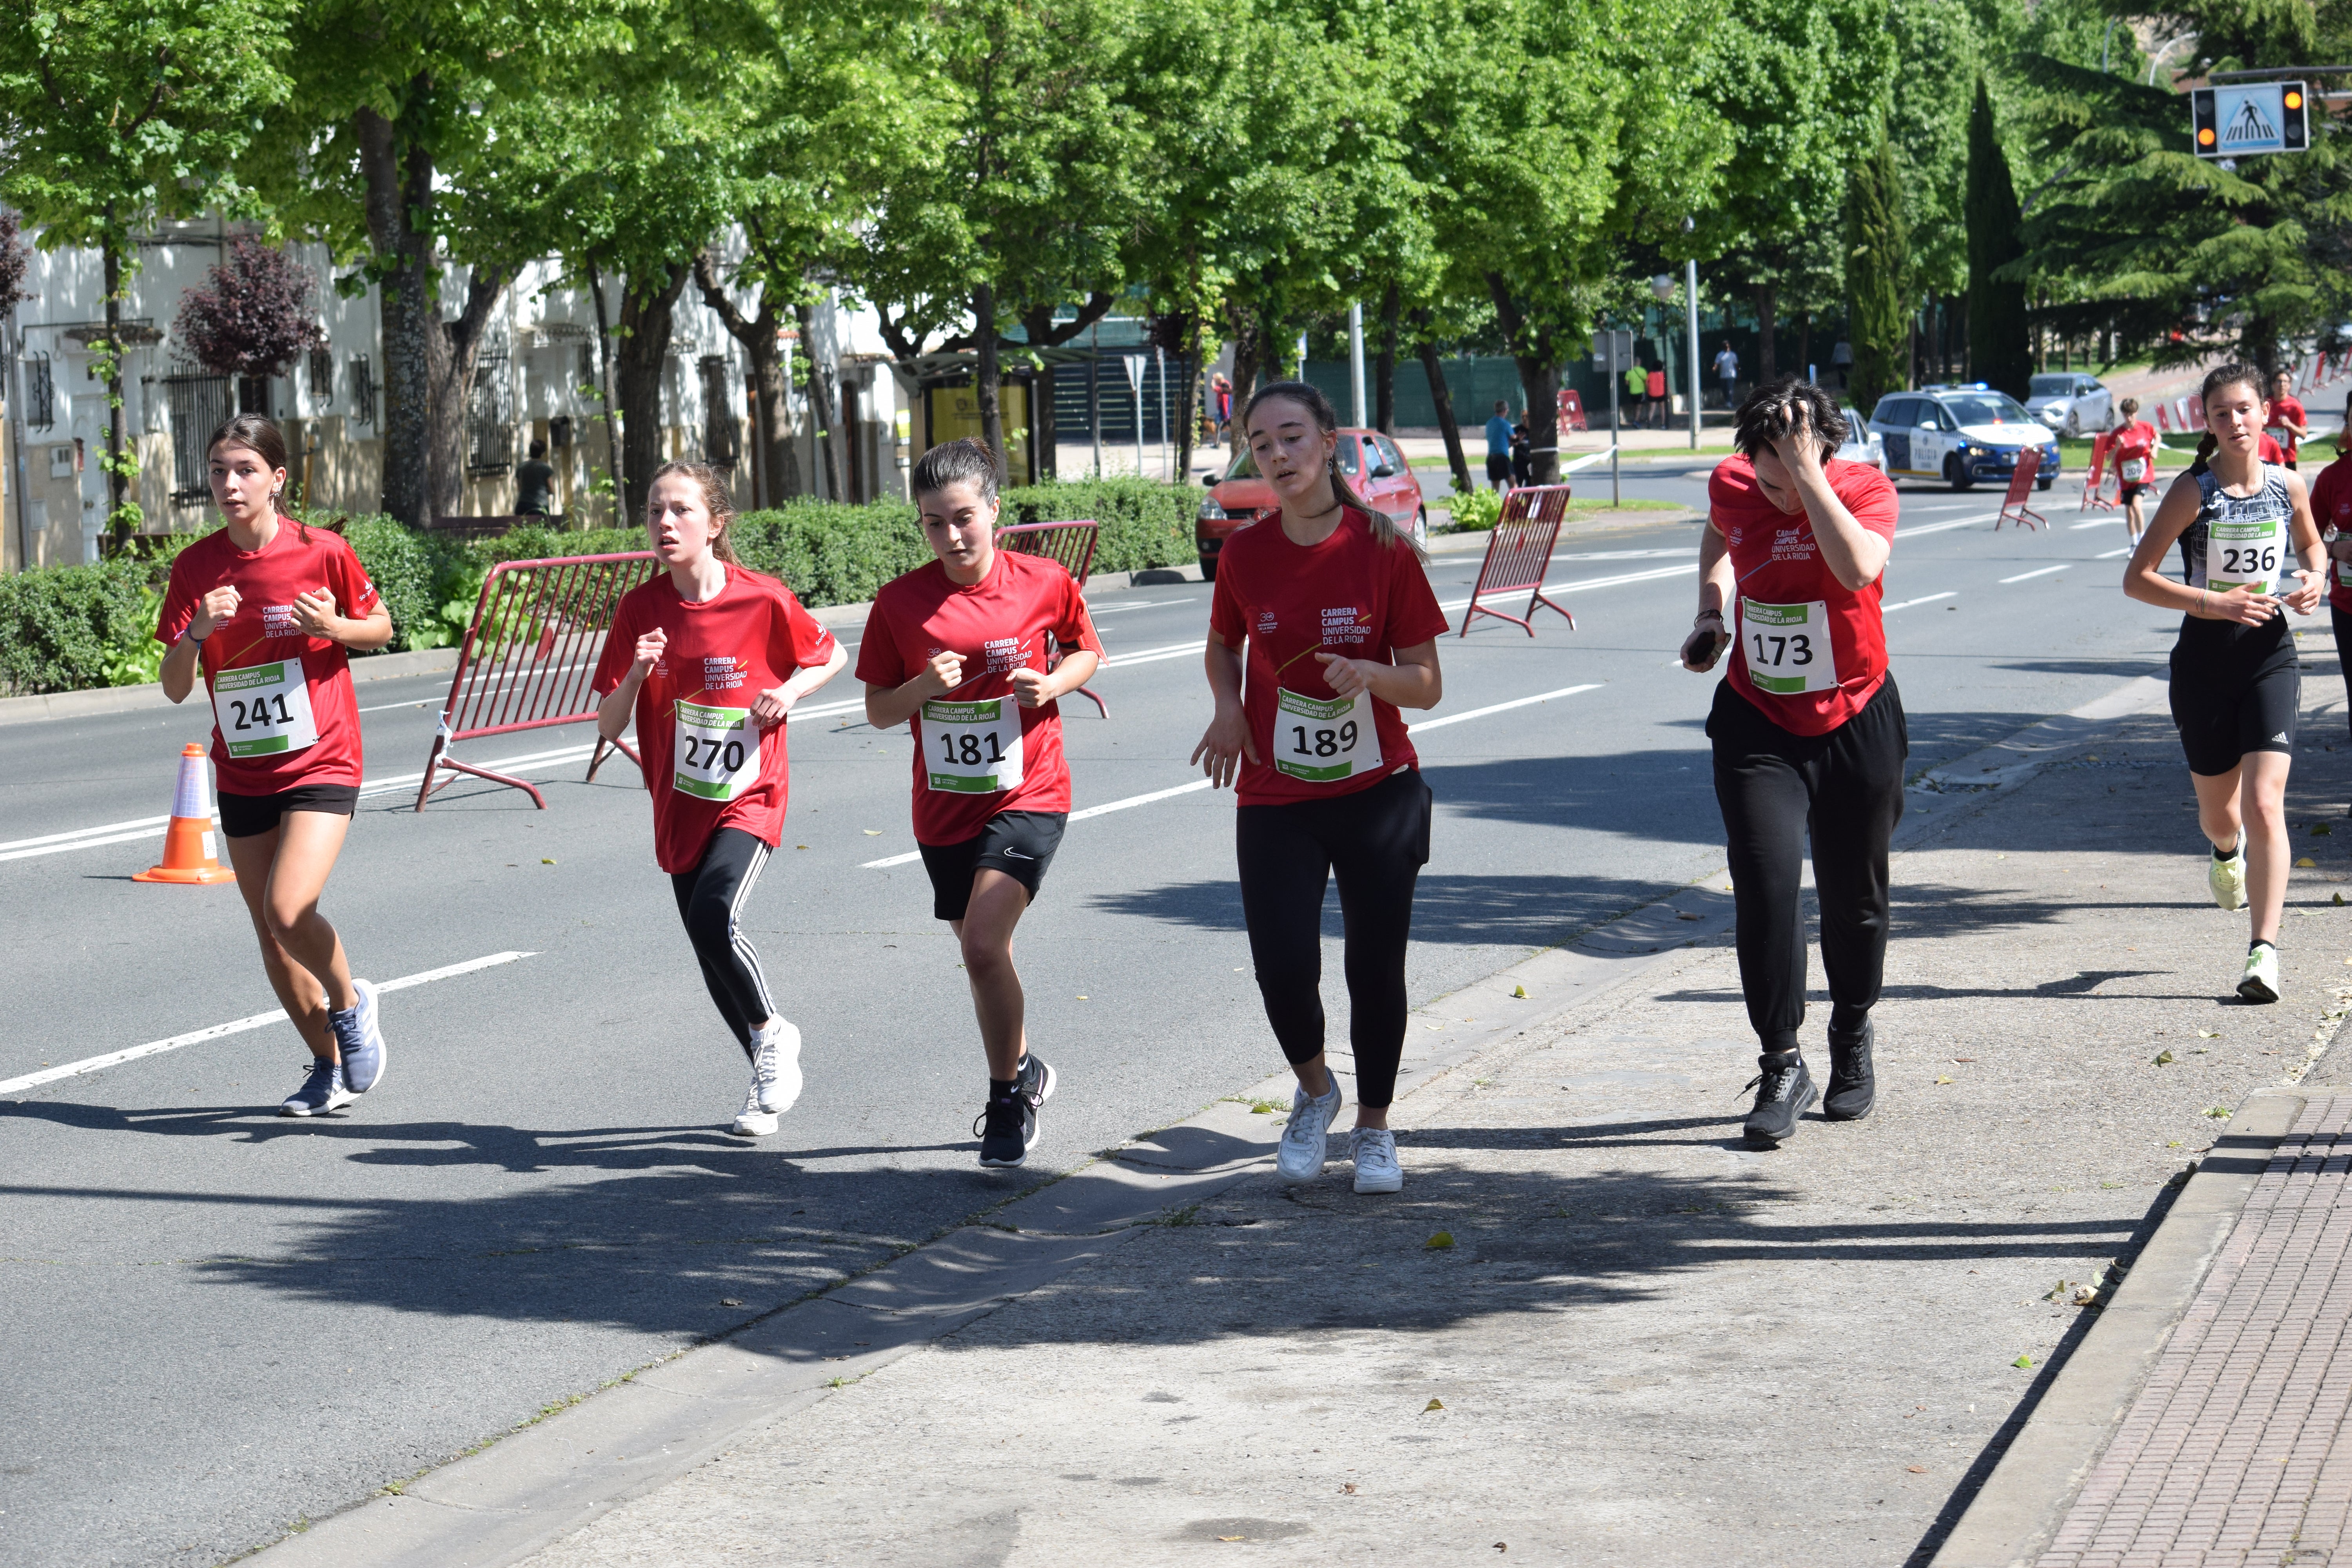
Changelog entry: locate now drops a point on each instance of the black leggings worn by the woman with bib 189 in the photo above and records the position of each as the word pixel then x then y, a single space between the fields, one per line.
pixel 1375 843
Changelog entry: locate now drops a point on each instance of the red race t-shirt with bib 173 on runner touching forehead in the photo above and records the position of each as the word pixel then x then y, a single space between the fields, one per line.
pixel 1789 601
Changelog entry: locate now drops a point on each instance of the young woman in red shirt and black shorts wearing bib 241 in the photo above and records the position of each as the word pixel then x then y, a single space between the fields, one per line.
pixel 267 610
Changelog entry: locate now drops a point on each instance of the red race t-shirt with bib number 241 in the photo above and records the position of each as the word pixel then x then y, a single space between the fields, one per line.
pixel 283 711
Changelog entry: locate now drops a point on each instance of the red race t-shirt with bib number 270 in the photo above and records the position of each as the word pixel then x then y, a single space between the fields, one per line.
pixel 707 763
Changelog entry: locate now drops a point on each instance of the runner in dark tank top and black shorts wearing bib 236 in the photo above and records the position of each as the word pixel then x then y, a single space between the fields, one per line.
pixel 2250 551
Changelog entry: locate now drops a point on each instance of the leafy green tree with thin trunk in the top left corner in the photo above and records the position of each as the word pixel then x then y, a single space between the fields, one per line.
pixel 116 114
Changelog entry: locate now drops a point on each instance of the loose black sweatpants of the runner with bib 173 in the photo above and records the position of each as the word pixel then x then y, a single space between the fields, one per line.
pixel 1845 791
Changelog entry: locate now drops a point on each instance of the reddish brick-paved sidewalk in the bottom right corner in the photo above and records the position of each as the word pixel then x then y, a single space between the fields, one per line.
pixel 2233 1454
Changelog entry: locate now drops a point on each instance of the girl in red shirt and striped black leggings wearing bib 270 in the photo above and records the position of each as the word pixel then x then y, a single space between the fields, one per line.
pixel 709 657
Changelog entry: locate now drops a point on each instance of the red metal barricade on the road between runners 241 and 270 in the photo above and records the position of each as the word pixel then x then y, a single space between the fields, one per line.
pixel 530 659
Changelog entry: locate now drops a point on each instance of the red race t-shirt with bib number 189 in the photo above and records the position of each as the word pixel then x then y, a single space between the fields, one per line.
pixel 1347 596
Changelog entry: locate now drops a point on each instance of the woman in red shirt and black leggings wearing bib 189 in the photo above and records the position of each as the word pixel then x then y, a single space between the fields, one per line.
pixel 1342 631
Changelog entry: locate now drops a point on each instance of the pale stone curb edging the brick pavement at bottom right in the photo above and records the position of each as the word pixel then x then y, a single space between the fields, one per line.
pixel 2066 1430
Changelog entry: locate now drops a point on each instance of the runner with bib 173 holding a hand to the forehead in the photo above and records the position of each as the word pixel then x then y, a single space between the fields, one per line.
pixel 1808 732
